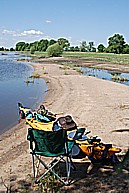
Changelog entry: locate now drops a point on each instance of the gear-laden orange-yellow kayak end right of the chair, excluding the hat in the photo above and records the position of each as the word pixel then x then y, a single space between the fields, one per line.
pixel 96 151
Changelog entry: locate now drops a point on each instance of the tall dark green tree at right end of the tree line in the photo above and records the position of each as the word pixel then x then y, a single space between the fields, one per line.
pixel 116 44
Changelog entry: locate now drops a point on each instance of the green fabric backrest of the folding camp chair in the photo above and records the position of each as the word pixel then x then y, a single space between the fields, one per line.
pixel 48 143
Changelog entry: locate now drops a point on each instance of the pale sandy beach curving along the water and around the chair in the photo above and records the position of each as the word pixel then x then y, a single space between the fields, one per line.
pixel 100 106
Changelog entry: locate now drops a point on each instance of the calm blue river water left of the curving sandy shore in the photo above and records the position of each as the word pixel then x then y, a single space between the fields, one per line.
pixel 13 89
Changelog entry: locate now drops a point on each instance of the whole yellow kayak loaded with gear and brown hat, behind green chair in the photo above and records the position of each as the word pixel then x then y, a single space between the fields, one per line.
pixel 96 151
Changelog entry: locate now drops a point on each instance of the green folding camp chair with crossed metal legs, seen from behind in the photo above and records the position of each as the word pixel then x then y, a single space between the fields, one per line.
pixel 50 144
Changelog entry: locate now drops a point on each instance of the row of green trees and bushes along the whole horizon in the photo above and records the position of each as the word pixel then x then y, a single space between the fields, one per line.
pixel 116 45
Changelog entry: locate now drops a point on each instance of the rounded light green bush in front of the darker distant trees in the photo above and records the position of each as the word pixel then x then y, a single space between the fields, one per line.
pixel 54 50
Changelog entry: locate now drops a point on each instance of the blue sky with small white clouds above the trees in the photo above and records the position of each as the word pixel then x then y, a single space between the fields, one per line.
pixel 75 20
